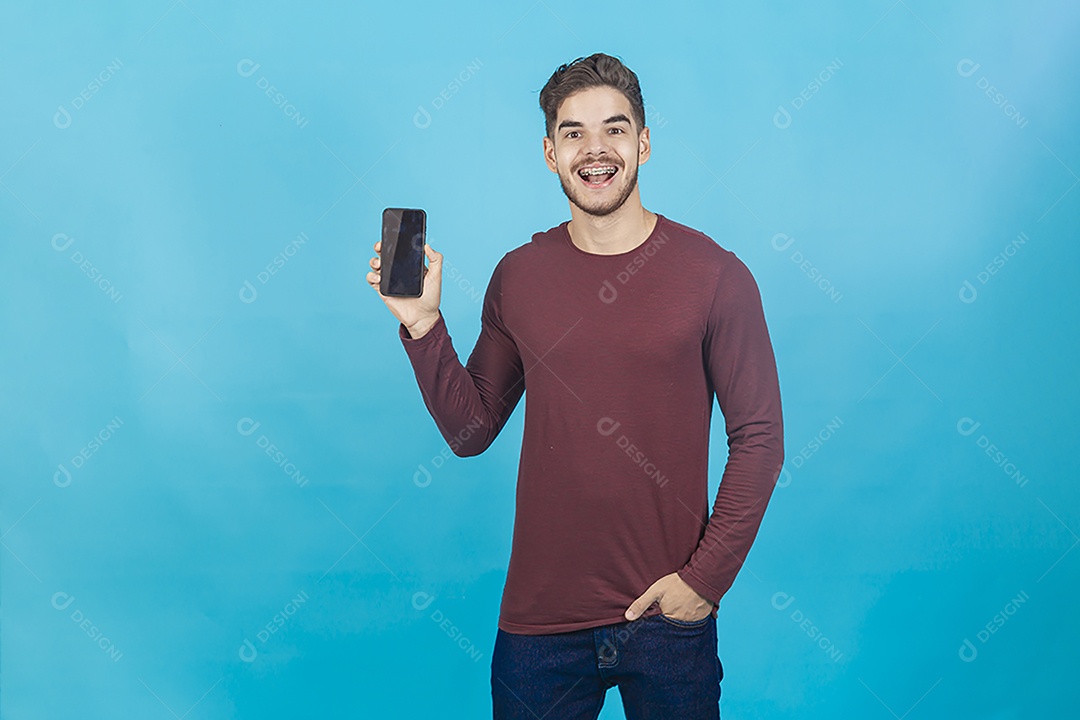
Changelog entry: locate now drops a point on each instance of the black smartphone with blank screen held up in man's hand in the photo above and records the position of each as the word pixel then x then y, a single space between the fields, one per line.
pixel 401 255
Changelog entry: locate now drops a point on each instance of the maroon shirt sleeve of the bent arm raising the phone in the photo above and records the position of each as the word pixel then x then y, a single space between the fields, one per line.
pixel 470 404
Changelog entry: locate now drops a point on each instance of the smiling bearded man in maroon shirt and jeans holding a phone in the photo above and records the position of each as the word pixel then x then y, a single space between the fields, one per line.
pixel 623 324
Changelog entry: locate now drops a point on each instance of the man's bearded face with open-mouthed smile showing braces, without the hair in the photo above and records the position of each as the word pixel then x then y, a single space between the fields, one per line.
pixel 595 129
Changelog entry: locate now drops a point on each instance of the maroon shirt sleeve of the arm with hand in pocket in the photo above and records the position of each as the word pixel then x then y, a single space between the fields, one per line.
pixel 742 372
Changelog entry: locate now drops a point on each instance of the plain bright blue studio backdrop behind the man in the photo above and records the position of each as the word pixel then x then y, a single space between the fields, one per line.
pixel 148 180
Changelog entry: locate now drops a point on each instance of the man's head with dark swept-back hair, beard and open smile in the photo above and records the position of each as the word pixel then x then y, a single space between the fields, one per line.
pixel 595 118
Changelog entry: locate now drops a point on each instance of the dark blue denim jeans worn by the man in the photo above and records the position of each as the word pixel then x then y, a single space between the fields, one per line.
pixel 665 669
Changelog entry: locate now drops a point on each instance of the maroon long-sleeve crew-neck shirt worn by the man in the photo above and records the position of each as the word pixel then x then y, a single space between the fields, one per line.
pixel 622 356
